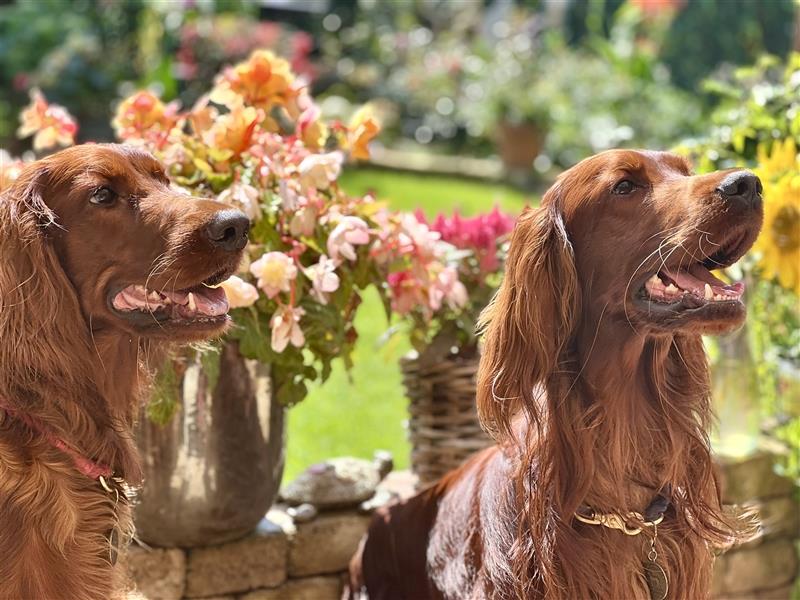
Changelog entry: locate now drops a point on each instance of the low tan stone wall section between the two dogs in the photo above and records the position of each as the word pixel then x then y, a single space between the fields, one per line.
pixel 281 560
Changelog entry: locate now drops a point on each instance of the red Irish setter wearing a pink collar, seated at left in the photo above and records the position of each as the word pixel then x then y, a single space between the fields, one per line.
pixel 100 263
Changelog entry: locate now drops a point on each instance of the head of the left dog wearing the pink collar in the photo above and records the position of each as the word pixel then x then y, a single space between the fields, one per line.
pixel 139 256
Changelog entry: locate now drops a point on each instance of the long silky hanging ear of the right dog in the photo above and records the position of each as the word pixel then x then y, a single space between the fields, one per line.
pixel 530 320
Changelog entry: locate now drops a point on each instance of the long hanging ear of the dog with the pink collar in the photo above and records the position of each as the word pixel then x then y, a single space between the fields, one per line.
pixel 39 312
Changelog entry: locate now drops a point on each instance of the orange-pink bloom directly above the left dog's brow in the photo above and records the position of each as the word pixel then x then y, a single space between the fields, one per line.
pixel 144 116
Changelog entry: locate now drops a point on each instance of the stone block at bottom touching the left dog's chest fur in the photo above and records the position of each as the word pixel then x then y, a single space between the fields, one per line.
pixel 158 574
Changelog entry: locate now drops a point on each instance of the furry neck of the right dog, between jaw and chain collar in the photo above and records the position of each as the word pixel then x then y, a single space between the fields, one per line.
pixel 645 409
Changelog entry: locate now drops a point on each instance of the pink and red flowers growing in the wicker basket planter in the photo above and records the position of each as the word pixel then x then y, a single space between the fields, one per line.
pixel 444 273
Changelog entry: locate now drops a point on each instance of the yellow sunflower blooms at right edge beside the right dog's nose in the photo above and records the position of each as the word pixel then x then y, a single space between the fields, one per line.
pixel 778 246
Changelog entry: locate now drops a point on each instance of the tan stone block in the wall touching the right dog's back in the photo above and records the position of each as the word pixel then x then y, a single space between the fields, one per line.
pixel 326 544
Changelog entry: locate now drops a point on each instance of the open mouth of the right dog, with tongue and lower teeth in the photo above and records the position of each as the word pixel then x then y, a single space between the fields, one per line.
pixel 695 285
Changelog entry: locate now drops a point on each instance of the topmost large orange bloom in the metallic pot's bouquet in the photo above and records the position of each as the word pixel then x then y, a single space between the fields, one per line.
pixel 263 81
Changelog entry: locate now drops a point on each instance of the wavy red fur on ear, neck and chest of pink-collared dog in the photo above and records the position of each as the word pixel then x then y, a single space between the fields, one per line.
pixel 55 525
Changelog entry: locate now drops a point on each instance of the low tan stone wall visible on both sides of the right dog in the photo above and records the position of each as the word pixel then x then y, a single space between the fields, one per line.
pixel 283 560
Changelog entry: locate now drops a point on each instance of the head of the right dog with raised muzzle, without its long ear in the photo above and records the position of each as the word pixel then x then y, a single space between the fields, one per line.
pixel 646 234
